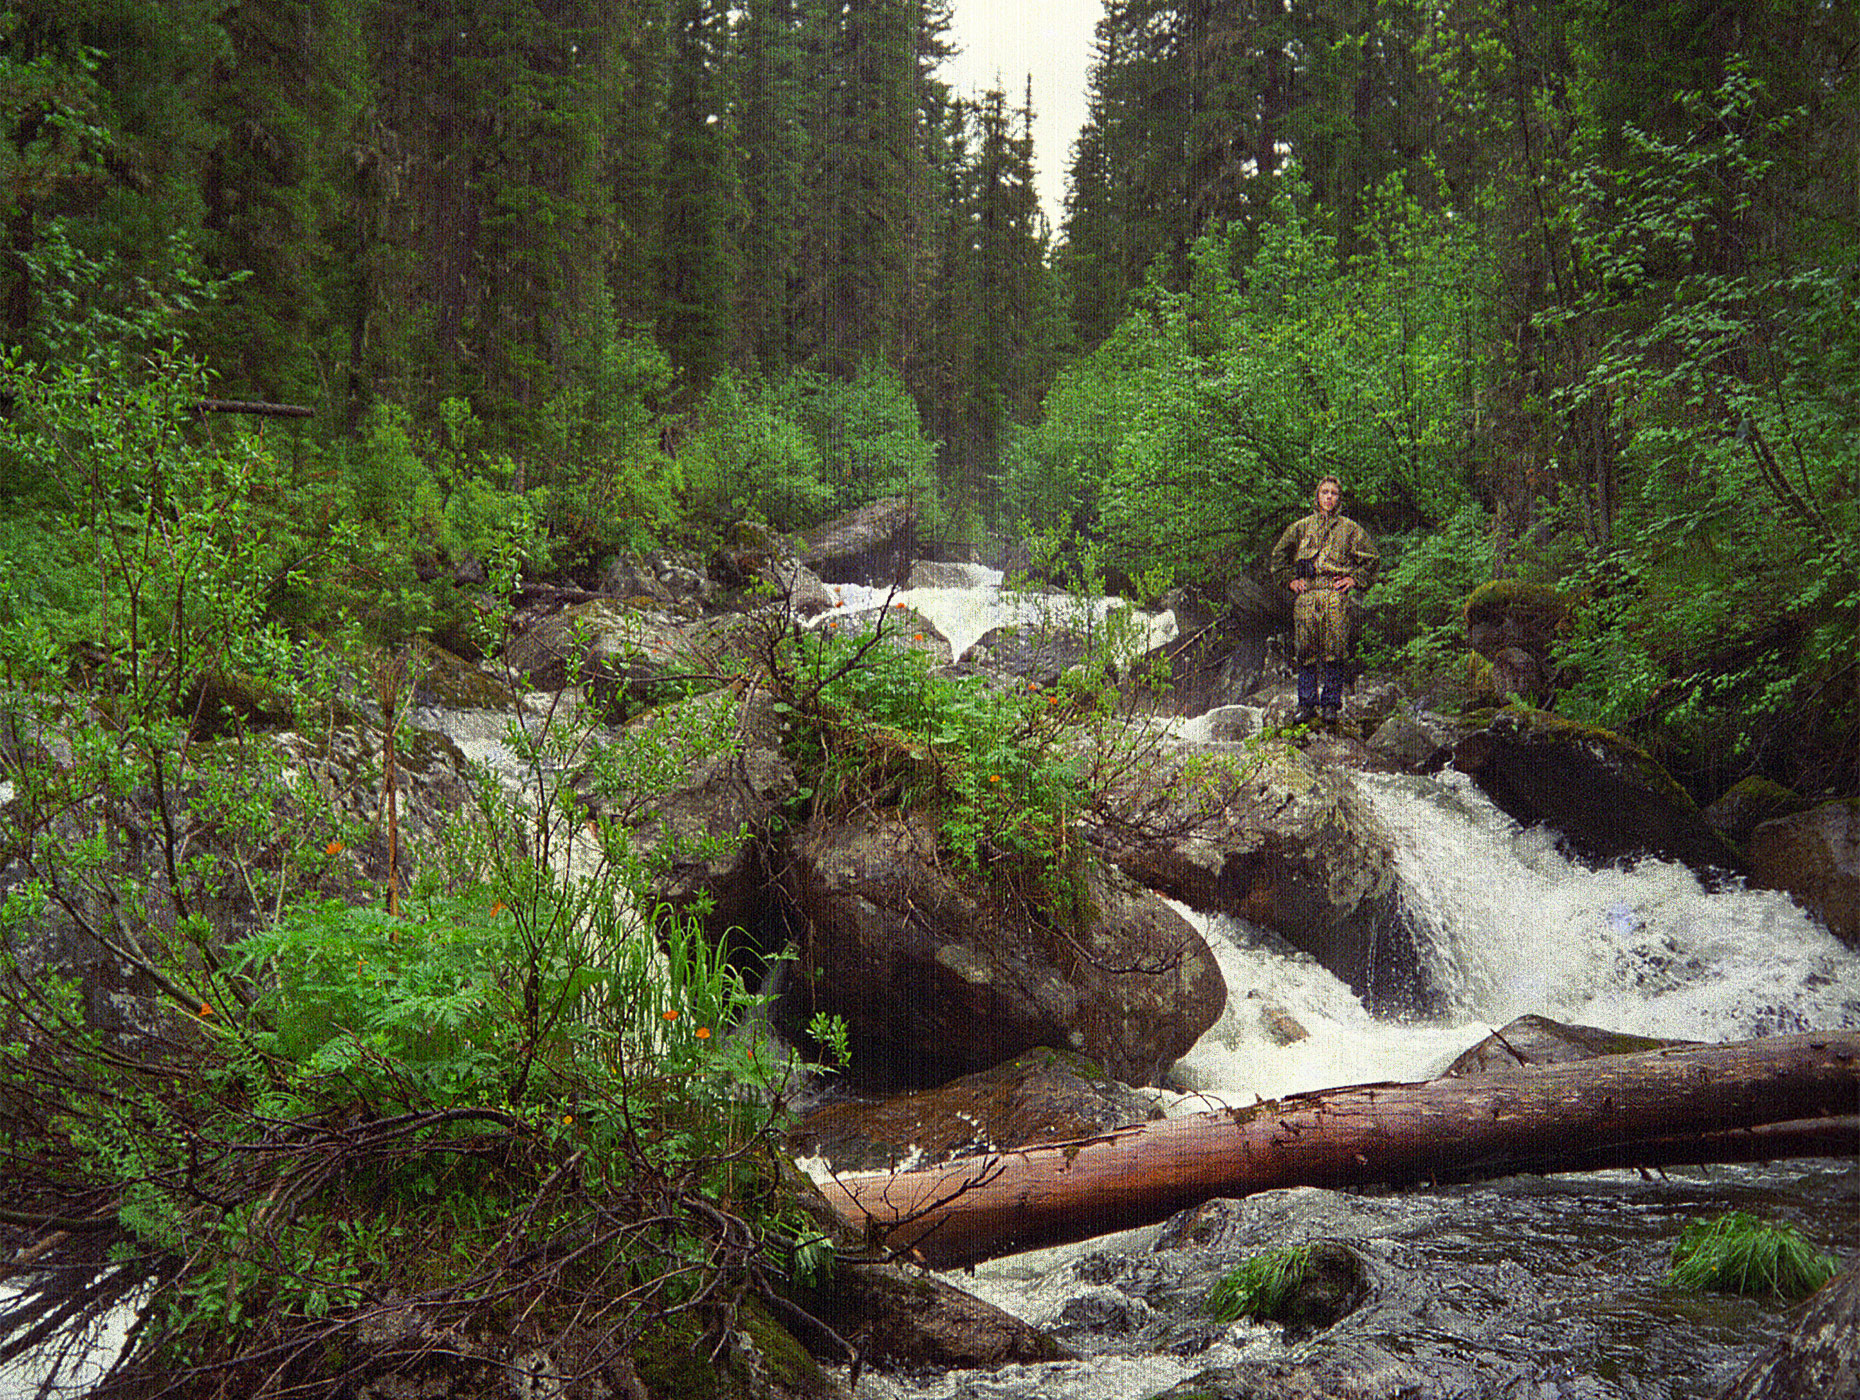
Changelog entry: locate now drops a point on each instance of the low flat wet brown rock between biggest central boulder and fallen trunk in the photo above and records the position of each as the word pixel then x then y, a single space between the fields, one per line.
pixel 1035 1098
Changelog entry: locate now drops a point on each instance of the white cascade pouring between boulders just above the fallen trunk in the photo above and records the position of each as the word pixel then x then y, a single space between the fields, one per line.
pixel 1511 929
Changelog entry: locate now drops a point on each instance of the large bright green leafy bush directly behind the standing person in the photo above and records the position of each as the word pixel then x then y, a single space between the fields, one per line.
pixel 1216 410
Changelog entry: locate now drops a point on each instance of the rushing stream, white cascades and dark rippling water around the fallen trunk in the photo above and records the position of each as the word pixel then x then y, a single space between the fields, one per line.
pixel 1521 1289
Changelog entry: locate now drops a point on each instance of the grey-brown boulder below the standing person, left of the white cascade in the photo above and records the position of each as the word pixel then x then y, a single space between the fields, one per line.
pixel 1282 841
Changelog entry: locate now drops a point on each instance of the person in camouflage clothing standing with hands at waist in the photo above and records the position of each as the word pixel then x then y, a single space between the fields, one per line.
pixel 1322 561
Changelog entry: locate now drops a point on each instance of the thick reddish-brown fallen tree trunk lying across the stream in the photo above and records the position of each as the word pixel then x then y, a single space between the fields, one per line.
pixel 1697 1103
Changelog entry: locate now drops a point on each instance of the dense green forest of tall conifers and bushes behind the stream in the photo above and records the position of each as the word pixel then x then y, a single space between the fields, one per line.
pixel 1563 291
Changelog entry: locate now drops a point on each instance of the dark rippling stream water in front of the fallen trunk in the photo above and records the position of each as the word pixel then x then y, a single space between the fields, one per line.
pixel 1528 1289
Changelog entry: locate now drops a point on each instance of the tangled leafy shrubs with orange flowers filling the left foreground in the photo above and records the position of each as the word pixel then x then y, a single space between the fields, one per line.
pixel 522 1090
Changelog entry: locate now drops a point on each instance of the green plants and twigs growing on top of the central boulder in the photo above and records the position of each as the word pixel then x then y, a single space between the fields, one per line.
pixel 1009 771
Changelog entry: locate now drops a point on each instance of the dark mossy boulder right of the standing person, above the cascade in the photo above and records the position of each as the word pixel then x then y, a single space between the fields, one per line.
pixel 1604 795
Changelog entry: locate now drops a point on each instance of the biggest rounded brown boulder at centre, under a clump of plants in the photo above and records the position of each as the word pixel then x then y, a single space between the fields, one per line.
pixel 940 975
